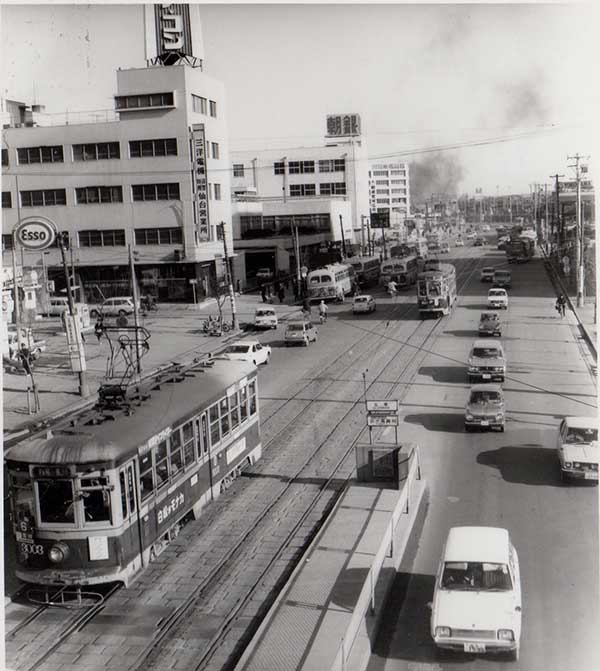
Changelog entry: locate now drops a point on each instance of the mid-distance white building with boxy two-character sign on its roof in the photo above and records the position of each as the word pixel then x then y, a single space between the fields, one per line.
pixel 318 191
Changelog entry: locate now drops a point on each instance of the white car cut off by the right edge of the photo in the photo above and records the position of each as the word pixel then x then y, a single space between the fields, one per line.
pixel 577 446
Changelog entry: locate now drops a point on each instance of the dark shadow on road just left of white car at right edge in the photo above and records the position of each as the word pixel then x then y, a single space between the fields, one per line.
pixel 529 464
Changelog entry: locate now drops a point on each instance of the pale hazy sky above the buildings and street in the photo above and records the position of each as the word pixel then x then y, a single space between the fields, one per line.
pixel 467 78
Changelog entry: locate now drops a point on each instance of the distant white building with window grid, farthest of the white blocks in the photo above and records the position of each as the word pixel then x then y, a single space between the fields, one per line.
pixel 389 190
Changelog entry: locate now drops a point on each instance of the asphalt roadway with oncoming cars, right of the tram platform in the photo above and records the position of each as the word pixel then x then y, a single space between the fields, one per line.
pixel 509 480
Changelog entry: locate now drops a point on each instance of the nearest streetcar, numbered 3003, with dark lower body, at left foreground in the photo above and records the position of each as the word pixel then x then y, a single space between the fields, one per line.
pixel 97 497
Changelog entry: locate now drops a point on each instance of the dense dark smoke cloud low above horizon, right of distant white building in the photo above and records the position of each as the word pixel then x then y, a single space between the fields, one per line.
pixel 439 173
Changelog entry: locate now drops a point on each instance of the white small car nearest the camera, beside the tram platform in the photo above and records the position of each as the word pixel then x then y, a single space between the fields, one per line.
pixel 476 604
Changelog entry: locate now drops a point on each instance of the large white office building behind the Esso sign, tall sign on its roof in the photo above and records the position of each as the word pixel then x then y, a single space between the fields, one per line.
pixel 156 177
